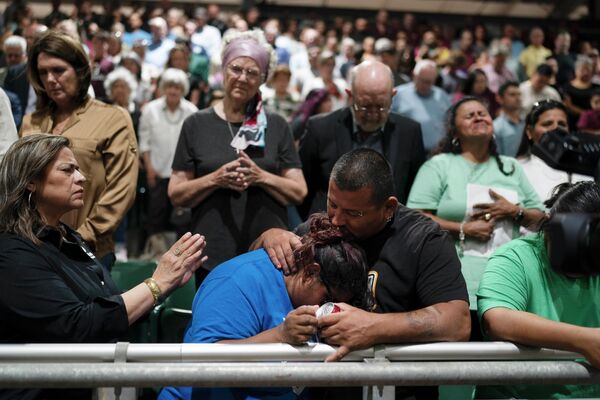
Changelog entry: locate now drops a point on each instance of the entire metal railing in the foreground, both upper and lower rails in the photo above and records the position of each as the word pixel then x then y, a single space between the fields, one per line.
pixel 258 365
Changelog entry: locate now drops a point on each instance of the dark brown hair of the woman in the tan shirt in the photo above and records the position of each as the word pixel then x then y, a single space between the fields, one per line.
pixel 61 46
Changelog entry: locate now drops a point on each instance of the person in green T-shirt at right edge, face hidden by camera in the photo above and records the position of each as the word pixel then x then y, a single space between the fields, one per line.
pixel 522 298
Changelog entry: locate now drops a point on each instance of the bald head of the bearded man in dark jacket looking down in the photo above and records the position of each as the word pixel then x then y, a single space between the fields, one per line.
pixel 371 94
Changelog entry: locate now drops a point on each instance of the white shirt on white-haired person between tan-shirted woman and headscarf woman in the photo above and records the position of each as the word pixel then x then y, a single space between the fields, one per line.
pixel 159 131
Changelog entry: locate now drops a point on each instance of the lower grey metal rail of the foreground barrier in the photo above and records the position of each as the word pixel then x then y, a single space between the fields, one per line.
pixel 295 374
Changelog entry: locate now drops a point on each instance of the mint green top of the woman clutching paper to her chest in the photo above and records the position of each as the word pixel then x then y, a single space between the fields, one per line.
pixel 441 185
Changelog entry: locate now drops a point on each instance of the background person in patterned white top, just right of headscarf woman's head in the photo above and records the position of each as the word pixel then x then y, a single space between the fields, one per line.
pixel 277 98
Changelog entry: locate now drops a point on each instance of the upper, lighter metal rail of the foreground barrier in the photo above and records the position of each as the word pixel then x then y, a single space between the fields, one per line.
pixel 195 352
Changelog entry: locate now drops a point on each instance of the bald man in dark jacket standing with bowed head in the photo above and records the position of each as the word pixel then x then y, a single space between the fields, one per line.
pixel 366 123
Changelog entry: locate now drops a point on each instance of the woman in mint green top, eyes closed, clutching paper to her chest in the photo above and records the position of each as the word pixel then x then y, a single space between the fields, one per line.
pixel 460 188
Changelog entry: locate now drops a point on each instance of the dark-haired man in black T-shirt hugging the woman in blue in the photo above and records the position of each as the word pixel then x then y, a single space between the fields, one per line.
pixel 415 276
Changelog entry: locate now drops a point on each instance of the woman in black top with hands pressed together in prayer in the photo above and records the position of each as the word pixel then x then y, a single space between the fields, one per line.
pixel 52 288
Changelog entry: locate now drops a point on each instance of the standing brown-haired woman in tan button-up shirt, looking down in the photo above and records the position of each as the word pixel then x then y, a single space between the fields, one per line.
pixel 102 137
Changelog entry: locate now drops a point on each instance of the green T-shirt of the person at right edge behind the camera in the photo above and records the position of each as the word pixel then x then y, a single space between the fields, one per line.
pixel 518 276
